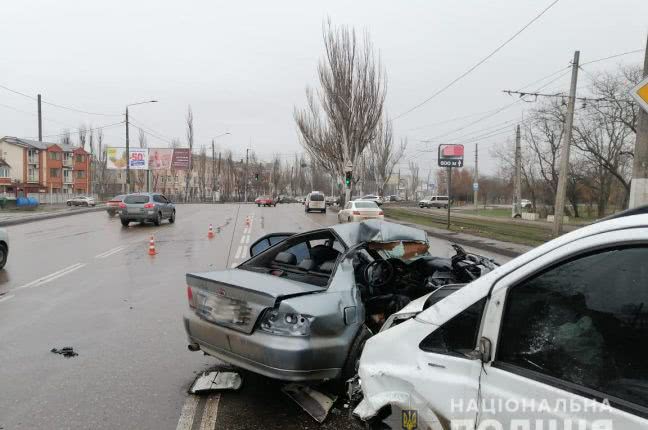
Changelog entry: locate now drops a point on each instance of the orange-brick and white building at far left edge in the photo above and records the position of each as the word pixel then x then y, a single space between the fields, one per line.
pixel 31 166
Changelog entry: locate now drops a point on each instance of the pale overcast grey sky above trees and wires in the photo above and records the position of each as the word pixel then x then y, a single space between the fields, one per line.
pixel 243 65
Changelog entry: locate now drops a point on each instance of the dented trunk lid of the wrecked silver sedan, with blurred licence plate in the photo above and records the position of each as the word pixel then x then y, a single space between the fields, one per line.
pixel 236 298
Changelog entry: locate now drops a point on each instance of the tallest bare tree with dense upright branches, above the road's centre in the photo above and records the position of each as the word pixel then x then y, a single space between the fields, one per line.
pixel 343 119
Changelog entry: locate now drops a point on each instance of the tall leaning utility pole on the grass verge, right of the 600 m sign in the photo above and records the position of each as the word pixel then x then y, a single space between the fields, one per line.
pixel 559 208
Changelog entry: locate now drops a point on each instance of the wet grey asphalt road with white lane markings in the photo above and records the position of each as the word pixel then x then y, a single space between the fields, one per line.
pixel 86 282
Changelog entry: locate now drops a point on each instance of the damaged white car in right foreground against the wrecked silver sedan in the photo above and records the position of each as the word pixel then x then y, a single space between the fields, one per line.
pixel 559 325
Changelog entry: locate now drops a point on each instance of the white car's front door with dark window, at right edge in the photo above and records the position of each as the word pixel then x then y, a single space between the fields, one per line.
pixel 570 331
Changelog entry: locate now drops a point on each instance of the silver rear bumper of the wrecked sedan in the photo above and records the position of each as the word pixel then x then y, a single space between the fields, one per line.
pixel 279 357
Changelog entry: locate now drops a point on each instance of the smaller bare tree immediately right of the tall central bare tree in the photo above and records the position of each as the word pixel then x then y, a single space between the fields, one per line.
pixel 384 157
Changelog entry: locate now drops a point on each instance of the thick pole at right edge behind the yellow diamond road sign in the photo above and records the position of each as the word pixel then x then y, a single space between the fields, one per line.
pixel 639 184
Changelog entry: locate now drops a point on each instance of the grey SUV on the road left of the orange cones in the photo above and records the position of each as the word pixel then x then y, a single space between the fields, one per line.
pixel 146 207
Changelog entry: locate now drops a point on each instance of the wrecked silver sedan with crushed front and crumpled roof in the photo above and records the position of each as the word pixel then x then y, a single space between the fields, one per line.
pixel 301 308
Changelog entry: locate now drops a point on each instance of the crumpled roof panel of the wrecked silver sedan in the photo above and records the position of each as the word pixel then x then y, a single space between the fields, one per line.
pixel 377 231
